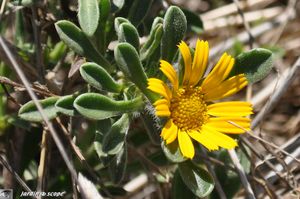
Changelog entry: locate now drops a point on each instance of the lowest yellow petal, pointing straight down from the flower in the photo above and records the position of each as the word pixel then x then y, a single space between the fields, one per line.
pixel 185 144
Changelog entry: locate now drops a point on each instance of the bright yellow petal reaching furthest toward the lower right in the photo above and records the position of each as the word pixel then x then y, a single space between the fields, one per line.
pixel 218 138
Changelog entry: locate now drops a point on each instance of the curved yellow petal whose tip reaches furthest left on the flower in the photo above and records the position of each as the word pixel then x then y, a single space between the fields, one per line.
pixel 158 86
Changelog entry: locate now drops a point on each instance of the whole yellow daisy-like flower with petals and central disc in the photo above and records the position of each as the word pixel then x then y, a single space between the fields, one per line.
pixel 188 104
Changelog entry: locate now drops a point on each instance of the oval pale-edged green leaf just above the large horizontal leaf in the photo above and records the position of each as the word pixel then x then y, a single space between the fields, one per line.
pixel 97 77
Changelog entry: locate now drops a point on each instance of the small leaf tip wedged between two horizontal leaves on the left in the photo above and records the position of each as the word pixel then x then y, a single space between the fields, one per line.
pixel 65 105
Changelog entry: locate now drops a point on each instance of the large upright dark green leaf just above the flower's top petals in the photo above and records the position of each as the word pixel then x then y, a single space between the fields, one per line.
pixel 174 26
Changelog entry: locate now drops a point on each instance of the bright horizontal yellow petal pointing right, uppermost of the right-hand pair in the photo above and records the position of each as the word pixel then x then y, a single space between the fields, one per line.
pixel 237 108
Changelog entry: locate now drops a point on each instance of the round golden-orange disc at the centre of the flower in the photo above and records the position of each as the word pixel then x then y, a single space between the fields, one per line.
pixel 188 109
